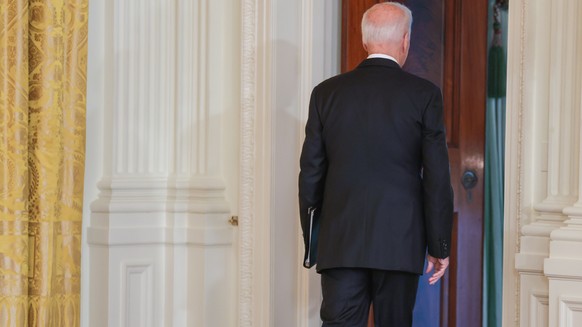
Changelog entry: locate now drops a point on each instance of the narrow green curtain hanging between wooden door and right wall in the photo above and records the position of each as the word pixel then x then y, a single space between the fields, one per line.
pixel 494 178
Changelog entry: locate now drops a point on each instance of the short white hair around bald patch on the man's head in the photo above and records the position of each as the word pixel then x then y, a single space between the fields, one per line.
pixel 386 31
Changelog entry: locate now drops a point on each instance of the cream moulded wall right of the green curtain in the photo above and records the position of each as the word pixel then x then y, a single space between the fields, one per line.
pixel 543 233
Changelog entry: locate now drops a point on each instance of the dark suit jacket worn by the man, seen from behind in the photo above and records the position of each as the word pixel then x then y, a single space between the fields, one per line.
pixel 375 167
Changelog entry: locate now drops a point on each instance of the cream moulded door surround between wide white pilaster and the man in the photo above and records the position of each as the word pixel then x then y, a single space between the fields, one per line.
pixel 284 50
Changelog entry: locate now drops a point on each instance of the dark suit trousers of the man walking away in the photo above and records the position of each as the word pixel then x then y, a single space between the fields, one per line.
pixel 348 292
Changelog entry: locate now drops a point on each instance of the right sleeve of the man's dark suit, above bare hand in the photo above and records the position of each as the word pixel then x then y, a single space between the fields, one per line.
pixel 437 189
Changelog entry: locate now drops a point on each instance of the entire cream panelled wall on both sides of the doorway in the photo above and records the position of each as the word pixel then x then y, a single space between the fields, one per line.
pixel 195 113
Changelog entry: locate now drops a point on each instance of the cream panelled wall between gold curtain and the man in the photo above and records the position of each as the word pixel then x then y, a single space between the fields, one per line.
pixel 195 114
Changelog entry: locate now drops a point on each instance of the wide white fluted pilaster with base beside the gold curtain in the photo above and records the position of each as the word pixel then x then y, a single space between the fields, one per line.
pixel 161 248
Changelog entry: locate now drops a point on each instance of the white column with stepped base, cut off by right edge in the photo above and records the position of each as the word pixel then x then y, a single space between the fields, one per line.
pixel 564 266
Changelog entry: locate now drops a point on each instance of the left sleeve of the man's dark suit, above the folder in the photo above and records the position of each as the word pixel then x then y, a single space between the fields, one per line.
pixel 313 166
